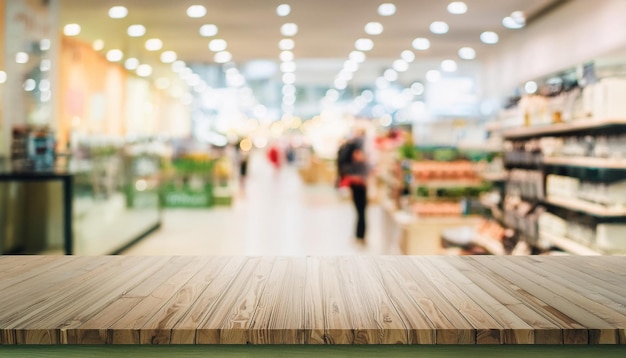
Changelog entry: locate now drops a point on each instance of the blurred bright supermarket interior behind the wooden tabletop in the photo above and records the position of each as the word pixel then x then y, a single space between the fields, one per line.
pixel 213 127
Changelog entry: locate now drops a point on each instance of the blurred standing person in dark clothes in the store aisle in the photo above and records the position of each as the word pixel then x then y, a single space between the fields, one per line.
pixel 355 177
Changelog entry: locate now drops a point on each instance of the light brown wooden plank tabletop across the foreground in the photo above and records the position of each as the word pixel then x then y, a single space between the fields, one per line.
pixel 312 300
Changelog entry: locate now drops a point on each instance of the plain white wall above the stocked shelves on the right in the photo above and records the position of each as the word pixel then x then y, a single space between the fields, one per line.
pixel 574 33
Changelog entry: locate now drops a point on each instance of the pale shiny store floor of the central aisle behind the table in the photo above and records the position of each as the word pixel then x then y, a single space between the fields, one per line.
pixel 277 215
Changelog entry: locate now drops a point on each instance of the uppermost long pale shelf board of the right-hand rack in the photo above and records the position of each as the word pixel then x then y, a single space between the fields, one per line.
pixel 562 128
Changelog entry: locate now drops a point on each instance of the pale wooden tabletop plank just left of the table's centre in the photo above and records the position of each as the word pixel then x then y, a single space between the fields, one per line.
pixel 280 314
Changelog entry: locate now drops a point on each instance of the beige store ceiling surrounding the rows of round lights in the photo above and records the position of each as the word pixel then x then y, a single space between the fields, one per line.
pixel 326 35
